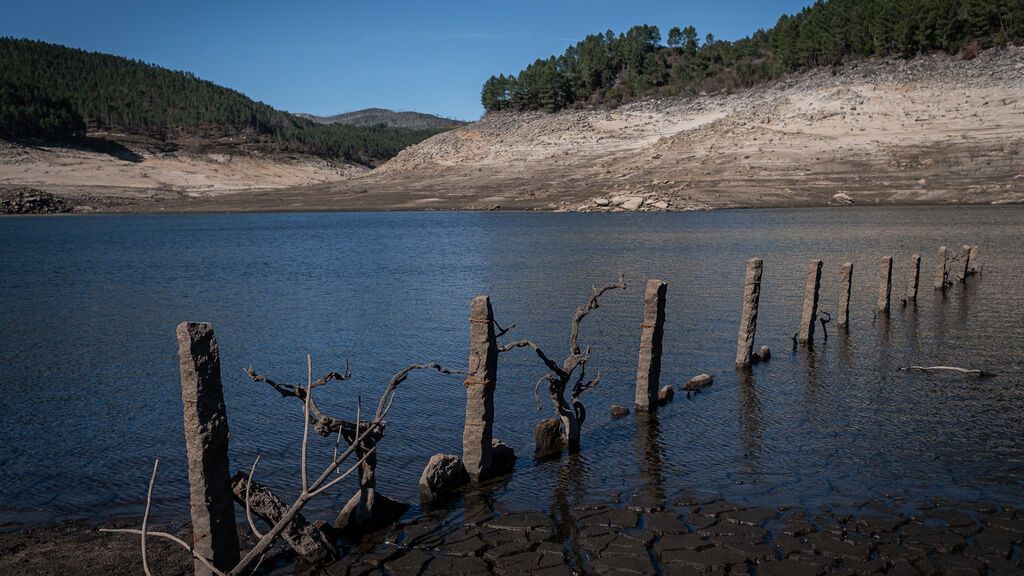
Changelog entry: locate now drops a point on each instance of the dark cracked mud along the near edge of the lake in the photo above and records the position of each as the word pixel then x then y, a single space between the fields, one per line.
pixel 691 534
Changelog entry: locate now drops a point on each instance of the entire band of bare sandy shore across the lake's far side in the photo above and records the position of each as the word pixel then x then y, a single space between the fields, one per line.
pixel 934 130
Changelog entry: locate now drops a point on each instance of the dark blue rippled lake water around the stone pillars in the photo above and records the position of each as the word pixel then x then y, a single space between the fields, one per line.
pixel 91 391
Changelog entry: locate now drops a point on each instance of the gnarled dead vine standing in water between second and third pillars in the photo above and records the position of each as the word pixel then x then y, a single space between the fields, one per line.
pixel 573 372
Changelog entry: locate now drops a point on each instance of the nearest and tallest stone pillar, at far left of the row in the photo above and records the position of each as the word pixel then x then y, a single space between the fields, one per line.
pixel 211 501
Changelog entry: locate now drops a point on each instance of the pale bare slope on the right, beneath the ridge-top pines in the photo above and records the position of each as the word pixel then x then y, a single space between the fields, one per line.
pixel 935 130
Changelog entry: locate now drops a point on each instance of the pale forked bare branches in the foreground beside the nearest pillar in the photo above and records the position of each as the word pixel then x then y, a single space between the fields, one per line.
pixel 332 475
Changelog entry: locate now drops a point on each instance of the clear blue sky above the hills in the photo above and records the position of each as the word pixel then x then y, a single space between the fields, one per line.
pixel 328 58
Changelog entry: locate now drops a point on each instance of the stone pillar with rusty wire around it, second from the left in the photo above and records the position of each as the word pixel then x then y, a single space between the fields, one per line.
pixel 478 433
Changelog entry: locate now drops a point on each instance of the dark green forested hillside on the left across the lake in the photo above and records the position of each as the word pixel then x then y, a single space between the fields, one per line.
pixel 55 93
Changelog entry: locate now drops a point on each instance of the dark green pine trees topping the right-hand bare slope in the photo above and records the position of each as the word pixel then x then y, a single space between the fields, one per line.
pixel 613 69
